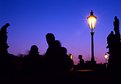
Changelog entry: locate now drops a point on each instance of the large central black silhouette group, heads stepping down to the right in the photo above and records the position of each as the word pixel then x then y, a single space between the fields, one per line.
pixel 57 61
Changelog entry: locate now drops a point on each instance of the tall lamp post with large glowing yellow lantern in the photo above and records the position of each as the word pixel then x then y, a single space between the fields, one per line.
pixel 92 22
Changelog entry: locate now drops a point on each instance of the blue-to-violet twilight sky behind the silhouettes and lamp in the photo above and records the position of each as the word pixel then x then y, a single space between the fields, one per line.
pixel 31 20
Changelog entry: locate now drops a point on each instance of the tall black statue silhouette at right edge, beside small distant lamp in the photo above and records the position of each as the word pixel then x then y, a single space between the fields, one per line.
pixel 114 46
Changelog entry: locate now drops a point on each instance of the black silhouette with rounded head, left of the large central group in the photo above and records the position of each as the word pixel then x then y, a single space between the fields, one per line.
pixel 32 64
